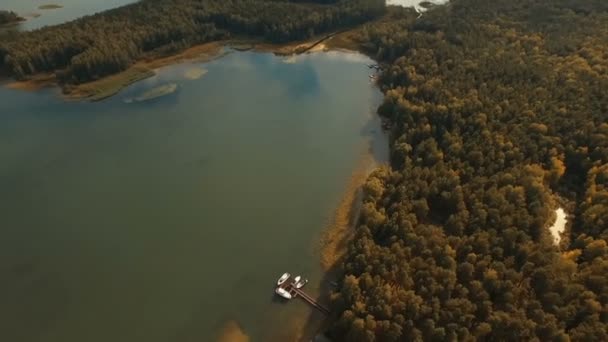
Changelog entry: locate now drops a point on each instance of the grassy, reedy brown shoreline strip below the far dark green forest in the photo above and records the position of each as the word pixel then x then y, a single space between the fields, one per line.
pixel 146 67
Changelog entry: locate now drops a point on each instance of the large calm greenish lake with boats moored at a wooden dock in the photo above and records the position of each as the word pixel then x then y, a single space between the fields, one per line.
pixel 164 219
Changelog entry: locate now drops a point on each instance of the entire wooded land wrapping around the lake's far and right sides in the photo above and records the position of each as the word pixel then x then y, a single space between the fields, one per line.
pixel 497 114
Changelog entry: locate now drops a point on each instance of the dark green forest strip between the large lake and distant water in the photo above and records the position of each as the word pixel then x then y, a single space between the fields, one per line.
pixel 109 42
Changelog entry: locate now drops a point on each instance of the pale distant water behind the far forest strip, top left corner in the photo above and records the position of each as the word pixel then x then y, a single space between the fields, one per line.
pixel 72 9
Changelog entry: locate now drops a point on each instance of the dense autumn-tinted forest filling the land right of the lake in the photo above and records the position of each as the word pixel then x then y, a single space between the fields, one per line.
pixel 499 115
